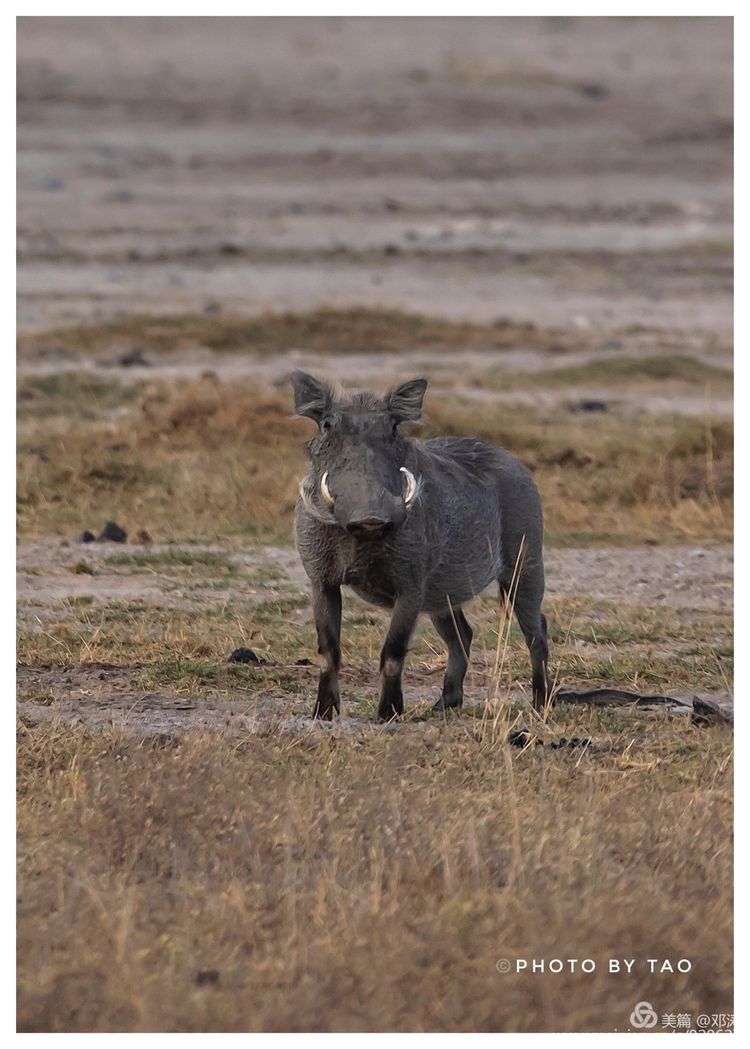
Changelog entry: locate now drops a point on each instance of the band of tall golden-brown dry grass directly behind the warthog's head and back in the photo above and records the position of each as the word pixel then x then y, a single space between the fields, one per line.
pixel 201 459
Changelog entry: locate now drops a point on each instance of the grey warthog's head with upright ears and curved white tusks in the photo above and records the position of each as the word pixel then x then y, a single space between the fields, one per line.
pixel 359 478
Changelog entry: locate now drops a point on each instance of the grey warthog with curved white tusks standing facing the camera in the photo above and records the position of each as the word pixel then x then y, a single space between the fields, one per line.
pixel 415 527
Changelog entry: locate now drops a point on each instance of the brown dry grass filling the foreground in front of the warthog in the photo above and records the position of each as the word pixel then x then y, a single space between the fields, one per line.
pixel 326 883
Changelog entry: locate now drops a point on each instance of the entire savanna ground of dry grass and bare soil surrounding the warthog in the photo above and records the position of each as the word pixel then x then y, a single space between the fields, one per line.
pixel 538 216
